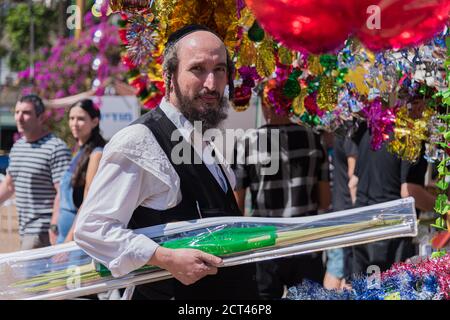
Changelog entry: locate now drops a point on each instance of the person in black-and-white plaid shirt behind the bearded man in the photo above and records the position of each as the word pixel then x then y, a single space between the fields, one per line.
pixel 300 187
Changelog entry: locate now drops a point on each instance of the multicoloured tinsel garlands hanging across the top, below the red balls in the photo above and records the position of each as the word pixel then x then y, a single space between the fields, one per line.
pixel 325 91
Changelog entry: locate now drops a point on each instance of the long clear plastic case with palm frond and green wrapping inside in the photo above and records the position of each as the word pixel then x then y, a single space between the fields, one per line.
pixel 65 271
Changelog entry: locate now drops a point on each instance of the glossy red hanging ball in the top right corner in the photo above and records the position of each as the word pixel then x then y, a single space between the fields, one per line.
pixel 405 23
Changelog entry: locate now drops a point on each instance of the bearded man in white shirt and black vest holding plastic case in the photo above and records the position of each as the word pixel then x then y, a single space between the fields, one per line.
pixel 141 181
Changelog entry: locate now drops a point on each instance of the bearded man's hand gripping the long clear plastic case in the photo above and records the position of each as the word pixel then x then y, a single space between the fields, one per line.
pixel 186 265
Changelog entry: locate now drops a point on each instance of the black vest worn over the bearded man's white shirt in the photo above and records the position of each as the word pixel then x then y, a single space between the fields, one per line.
pixel 202 197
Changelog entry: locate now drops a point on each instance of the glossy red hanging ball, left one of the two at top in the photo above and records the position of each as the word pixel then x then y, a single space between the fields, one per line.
pixel 314 25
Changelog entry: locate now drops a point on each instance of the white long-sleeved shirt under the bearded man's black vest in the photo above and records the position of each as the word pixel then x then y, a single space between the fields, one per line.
pixel 134 171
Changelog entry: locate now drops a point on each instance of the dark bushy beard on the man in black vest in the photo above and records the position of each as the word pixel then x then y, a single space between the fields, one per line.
pixel 210 116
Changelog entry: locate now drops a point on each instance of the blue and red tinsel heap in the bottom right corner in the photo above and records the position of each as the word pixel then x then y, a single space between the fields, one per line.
pixel 427 279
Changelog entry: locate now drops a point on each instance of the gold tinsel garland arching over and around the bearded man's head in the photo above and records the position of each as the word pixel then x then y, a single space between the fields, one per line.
pixel 149 23
